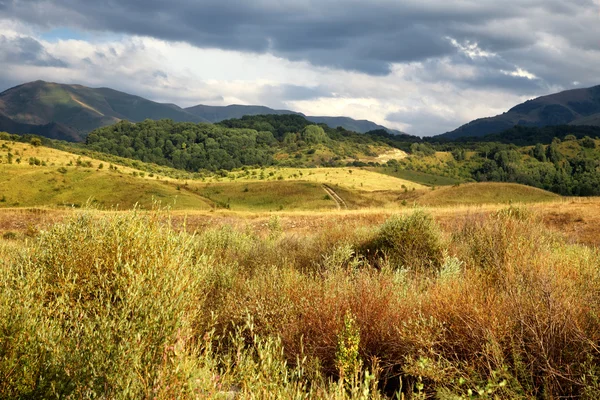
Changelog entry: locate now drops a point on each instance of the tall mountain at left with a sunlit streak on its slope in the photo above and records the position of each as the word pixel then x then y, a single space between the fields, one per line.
pixel 71 111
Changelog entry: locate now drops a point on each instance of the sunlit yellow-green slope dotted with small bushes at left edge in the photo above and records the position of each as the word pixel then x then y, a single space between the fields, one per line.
pixel 64 179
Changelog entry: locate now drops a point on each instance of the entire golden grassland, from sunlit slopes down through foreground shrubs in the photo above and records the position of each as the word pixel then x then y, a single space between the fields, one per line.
pixel 258 284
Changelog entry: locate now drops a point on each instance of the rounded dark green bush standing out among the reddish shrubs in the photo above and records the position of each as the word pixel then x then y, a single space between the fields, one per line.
pixel 411 241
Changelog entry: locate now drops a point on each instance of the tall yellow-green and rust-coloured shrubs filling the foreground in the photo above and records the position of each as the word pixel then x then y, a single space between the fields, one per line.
pixel 123 305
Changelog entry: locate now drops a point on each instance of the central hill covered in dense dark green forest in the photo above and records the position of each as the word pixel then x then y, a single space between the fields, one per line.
pixel 284 140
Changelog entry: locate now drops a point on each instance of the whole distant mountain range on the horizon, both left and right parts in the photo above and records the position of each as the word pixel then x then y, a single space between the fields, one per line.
pixel 70 112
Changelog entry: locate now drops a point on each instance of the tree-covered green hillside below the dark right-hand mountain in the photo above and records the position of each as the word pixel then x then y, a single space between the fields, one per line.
pixel 570 166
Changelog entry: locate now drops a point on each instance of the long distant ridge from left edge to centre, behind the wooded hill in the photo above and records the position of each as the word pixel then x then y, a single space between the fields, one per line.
pixel 70 112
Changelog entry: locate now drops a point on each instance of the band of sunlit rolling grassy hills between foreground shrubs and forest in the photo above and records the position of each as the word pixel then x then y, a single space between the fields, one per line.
pixel 44 177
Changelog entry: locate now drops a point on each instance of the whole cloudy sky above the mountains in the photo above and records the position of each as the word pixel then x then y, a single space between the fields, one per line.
pixel 421 66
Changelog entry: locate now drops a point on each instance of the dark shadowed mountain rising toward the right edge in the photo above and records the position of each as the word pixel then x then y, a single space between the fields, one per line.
pixel 571 107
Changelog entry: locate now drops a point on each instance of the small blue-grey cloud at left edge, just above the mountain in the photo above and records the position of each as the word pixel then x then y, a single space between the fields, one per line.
pixel 28 51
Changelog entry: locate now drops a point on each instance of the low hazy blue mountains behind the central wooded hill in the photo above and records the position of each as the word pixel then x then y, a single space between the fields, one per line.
pixel 217 114
